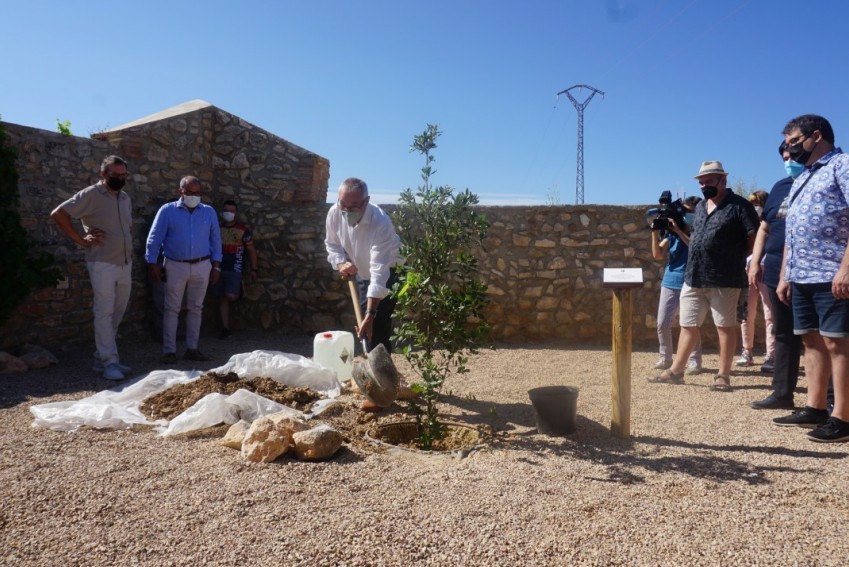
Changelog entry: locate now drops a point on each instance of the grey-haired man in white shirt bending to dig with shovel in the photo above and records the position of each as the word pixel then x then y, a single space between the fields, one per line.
pixel 362 244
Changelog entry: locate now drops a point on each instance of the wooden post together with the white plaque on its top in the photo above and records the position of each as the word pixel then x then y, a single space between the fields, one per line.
pixel 622 281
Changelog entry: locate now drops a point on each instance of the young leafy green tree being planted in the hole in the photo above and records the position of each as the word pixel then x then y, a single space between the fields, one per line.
pixel 441 301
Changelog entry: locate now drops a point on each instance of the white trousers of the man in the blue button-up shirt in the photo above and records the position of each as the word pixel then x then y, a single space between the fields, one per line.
pixel 191 280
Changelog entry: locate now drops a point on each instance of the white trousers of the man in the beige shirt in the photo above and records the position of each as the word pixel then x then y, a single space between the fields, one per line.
pixel 111 285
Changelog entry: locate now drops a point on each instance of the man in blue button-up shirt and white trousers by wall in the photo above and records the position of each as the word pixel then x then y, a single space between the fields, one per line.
pixel 187 232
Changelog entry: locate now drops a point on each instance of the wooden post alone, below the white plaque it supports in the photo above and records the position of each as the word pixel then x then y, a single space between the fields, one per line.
pixel 620 424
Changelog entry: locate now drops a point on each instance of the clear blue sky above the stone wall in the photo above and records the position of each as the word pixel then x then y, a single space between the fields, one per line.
pixel 354 81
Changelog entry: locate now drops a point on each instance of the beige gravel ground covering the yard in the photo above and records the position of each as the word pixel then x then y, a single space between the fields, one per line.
pixel 703 480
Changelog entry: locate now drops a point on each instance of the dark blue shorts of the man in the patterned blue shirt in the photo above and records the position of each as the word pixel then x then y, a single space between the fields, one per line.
pixel 815 309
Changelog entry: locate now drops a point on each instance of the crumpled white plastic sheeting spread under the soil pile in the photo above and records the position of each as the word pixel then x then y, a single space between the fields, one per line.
pixel 119 408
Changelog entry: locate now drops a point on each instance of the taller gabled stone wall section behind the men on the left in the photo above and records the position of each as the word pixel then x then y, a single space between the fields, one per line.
pixel 281 189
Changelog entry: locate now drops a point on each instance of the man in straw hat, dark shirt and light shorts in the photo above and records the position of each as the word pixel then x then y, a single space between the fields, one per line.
pixel 723 233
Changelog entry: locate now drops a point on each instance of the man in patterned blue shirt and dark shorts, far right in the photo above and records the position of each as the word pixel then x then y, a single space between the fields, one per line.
pixel 816 273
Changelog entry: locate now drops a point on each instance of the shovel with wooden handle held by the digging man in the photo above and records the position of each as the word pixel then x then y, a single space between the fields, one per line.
pixel 376 375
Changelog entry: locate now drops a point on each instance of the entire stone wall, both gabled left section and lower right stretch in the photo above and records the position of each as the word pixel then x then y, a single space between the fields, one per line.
pixel 543 265
